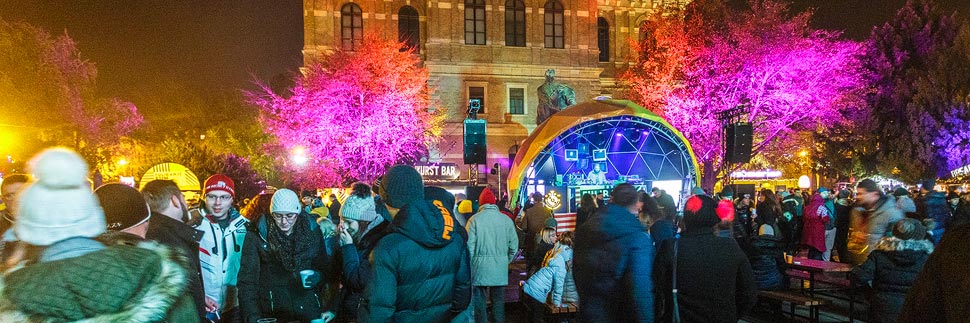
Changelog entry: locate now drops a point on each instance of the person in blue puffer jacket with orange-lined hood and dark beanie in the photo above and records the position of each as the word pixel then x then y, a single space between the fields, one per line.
pixel 421 269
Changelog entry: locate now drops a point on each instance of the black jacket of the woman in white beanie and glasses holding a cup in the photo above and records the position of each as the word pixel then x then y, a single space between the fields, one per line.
pixel 267 289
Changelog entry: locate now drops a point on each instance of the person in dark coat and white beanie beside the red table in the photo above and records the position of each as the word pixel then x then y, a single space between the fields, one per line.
pixel 767 260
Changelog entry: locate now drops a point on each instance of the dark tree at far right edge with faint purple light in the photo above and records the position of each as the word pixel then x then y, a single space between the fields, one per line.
pixel 919 113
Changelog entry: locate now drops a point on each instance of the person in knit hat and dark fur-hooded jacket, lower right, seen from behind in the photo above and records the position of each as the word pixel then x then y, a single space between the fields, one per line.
pixel 893 267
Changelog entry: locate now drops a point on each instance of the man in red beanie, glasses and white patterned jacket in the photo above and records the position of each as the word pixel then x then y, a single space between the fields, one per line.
pixel 220 249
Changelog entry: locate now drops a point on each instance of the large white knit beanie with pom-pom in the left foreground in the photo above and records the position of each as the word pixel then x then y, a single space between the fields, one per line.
pixel 59 203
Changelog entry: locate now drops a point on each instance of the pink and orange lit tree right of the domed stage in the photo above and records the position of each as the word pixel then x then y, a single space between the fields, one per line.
pixel 712 57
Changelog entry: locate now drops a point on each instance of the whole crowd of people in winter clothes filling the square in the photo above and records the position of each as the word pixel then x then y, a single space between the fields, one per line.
pixel 400 251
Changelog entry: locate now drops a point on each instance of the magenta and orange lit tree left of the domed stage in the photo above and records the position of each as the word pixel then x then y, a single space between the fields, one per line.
pixel 352 115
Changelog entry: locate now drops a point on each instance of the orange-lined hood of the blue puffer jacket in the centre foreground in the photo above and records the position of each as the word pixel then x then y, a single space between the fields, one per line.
pixel 424 223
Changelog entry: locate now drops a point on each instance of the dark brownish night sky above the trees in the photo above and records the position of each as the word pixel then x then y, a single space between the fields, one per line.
pixel 222 45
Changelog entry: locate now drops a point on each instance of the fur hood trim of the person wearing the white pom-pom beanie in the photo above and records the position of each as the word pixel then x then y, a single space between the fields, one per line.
pixel 153 306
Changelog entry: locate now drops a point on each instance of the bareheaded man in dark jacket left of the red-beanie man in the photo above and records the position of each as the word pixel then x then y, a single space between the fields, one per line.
pixel 167 226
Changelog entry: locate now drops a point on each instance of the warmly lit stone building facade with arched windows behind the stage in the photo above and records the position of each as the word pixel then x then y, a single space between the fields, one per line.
pixel 493 50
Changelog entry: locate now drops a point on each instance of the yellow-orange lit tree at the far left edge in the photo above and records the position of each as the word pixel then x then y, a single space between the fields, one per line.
pixel 48 93
